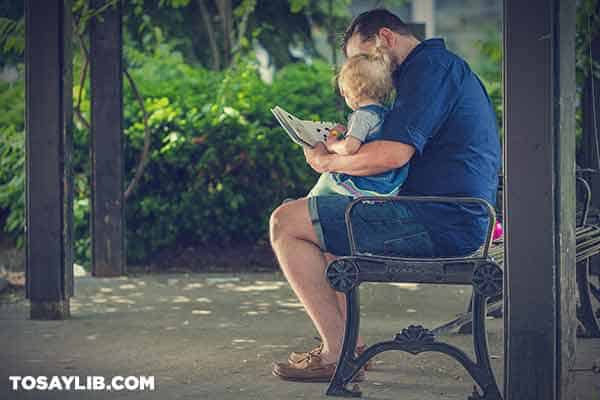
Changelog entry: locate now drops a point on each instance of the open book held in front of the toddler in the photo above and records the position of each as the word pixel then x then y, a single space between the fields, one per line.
pixel 303 132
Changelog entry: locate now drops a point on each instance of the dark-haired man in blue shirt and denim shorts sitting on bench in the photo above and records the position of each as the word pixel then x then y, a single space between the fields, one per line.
pixel 443 123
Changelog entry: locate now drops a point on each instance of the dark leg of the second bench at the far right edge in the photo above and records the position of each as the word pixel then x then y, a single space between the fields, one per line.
pixel 589 300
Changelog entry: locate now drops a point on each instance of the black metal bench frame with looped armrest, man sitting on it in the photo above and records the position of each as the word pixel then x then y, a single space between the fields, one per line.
pixel 345 274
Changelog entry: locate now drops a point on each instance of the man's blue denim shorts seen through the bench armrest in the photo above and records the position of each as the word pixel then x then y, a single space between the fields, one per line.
pixel 389 229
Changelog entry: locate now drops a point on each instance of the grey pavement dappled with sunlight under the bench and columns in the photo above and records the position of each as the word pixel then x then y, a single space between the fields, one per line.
pixel 210 336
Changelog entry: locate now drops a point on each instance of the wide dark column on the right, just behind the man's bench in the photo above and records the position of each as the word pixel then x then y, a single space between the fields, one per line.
pixel 539 71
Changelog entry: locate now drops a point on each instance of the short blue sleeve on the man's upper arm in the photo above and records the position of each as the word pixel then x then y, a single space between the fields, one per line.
pixel 426 92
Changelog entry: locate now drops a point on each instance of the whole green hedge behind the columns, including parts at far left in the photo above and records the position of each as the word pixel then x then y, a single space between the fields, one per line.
pixel 221 188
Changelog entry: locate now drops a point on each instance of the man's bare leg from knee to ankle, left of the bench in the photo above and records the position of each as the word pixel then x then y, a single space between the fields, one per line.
pixel 303 264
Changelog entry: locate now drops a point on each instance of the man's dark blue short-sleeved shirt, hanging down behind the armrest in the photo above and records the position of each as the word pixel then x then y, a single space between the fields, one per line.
pixel 444 112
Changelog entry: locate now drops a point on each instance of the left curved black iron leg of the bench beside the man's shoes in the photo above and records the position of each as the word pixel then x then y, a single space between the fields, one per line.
pixel 347 366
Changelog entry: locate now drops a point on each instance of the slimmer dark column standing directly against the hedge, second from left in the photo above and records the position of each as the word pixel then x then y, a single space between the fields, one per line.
pixel 107 222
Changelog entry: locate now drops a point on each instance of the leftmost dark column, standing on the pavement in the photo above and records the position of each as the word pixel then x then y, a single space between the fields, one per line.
pixel 49 191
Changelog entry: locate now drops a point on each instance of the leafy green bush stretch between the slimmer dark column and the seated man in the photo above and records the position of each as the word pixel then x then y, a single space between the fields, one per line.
pixel 221 187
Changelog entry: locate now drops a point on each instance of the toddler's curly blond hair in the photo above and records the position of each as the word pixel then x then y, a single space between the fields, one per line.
pixel 367 76
